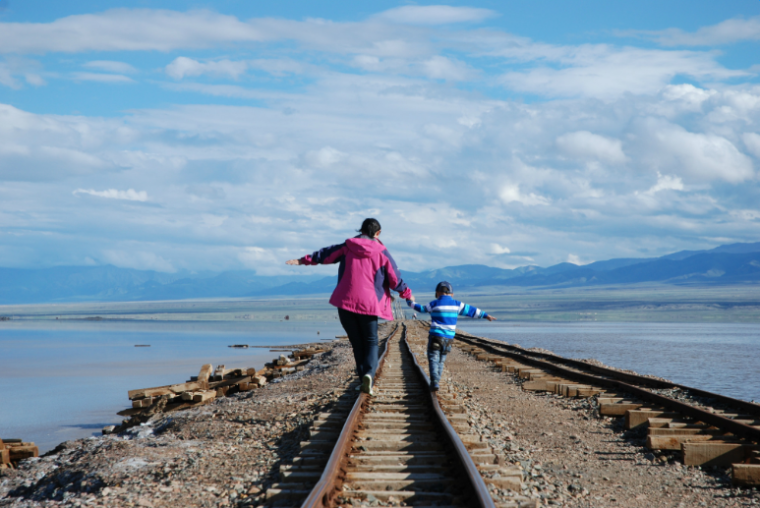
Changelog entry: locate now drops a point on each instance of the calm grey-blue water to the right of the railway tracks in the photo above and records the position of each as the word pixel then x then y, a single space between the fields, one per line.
pixel 721 358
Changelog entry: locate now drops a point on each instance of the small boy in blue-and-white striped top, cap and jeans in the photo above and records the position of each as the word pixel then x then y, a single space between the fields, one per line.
pixel 443 311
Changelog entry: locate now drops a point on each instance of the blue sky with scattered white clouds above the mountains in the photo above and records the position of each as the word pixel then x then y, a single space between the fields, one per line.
pixel 224 135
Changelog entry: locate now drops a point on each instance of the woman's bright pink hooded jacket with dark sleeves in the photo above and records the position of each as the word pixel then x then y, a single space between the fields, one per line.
pixel 366 275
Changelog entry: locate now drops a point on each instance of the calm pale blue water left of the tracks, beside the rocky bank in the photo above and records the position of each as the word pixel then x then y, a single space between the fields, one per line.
pixel 66 380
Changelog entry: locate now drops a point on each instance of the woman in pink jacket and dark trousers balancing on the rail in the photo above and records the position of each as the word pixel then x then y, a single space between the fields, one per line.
pixel 366 275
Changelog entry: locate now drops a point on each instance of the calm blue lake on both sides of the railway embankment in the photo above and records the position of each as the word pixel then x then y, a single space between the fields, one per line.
pixel 63 380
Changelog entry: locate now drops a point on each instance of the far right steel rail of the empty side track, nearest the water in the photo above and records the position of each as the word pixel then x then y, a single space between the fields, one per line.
pixel 750 407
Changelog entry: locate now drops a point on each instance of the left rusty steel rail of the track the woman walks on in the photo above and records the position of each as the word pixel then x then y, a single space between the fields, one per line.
pixel 326 488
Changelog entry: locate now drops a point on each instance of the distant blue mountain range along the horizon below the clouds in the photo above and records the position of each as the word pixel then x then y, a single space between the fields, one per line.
pixel 728 264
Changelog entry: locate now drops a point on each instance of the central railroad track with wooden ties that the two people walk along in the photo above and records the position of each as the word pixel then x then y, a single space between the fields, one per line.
pixel 397 448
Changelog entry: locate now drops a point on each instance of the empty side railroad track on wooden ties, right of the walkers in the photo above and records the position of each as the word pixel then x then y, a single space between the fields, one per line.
pixel 707 429
